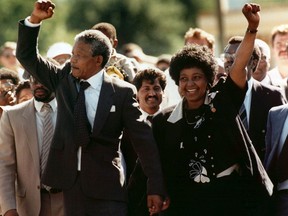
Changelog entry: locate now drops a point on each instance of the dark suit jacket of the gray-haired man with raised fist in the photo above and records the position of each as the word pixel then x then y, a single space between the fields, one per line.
pixel 101 171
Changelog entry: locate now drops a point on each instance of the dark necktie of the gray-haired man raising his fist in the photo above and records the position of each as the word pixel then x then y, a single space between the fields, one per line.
pixel 81 123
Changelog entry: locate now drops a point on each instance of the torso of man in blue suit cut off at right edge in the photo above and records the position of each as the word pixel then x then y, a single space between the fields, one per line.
pixel 276 137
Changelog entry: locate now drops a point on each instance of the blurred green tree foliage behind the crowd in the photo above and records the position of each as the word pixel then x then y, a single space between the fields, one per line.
pixel 157 26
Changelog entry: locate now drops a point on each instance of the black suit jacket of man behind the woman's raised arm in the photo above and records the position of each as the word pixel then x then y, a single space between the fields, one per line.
pixel 264 97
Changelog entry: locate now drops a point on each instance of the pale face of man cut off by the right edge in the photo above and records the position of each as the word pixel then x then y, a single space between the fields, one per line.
pixel 280 45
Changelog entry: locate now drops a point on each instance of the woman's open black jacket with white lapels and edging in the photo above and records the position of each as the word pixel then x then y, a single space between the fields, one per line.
pixel 227 132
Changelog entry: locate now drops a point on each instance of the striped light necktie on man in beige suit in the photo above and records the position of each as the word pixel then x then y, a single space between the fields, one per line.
pixel 48 131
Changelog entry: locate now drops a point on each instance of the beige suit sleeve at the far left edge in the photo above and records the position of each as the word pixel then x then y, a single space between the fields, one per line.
pixel 7 165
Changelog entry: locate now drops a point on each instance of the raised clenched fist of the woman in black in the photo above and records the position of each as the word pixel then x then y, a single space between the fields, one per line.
pixel 251 12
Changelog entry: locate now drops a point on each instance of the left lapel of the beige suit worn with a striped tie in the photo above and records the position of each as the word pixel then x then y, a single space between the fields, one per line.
pixel 30 132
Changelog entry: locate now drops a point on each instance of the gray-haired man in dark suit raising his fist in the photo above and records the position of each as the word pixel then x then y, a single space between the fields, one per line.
pixel 90 173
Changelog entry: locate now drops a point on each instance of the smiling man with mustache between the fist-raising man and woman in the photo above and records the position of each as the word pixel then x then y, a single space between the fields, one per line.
pixel 150 84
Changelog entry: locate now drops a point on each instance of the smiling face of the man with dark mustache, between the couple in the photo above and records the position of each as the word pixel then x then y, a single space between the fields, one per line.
pixel 150 96
